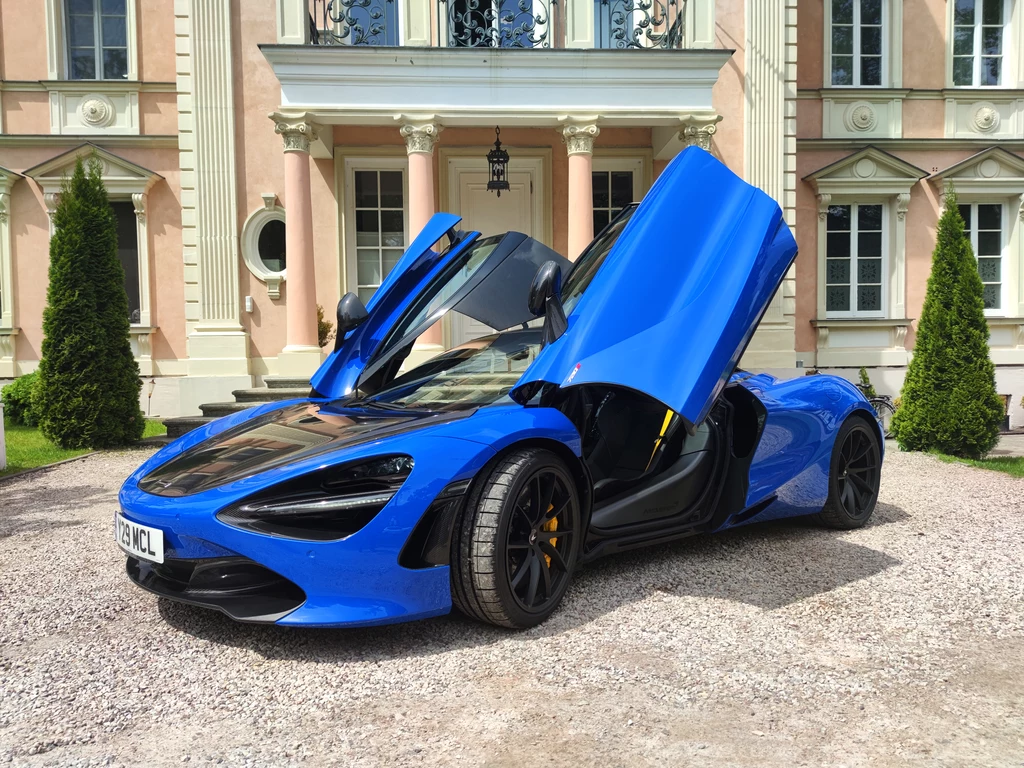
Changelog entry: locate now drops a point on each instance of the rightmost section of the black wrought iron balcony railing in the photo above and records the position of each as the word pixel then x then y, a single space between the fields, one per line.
pixel 639 24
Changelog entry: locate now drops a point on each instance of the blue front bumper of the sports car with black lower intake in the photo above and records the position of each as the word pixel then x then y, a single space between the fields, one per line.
pixel 353 582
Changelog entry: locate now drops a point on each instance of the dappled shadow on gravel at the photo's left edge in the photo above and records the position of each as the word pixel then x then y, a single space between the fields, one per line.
pixel 27 507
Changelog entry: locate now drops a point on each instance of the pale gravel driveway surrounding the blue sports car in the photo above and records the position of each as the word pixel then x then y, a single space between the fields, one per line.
pixel 777 646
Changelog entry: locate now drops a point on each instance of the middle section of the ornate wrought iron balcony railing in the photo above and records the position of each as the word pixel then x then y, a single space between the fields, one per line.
pixel 498 24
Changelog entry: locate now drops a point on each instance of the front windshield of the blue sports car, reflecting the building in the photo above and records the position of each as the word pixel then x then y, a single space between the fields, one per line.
pixel 480 373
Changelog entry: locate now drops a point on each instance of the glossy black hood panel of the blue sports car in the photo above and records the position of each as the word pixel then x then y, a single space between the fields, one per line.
pixel 285 436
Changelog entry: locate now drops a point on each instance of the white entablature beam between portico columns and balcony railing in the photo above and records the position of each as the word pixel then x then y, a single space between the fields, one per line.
pixel 372 87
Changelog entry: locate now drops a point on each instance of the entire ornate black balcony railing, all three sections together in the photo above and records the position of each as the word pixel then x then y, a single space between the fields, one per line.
pixel 502 24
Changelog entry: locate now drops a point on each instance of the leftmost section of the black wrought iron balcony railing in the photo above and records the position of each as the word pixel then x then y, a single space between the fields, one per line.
pixel 354 23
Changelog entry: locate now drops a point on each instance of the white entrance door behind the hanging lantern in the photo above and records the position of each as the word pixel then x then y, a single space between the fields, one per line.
pixel 485 212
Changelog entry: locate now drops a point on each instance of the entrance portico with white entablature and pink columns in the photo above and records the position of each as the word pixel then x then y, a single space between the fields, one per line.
pixel 576 95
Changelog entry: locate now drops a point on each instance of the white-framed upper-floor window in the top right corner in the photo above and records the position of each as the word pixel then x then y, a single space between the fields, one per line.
pixel 978 42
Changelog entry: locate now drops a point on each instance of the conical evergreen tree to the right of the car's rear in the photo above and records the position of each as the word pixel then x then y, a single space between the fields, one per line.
pixel 949 402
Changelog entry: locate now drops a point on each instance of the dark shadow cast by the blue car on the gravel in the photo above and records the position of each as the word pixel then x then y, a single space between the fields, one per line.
pixel 769 567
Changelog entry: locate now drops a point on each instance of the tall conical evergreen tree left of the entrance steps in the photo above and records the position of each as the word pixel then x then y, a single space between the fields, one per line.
pixel 88 396
